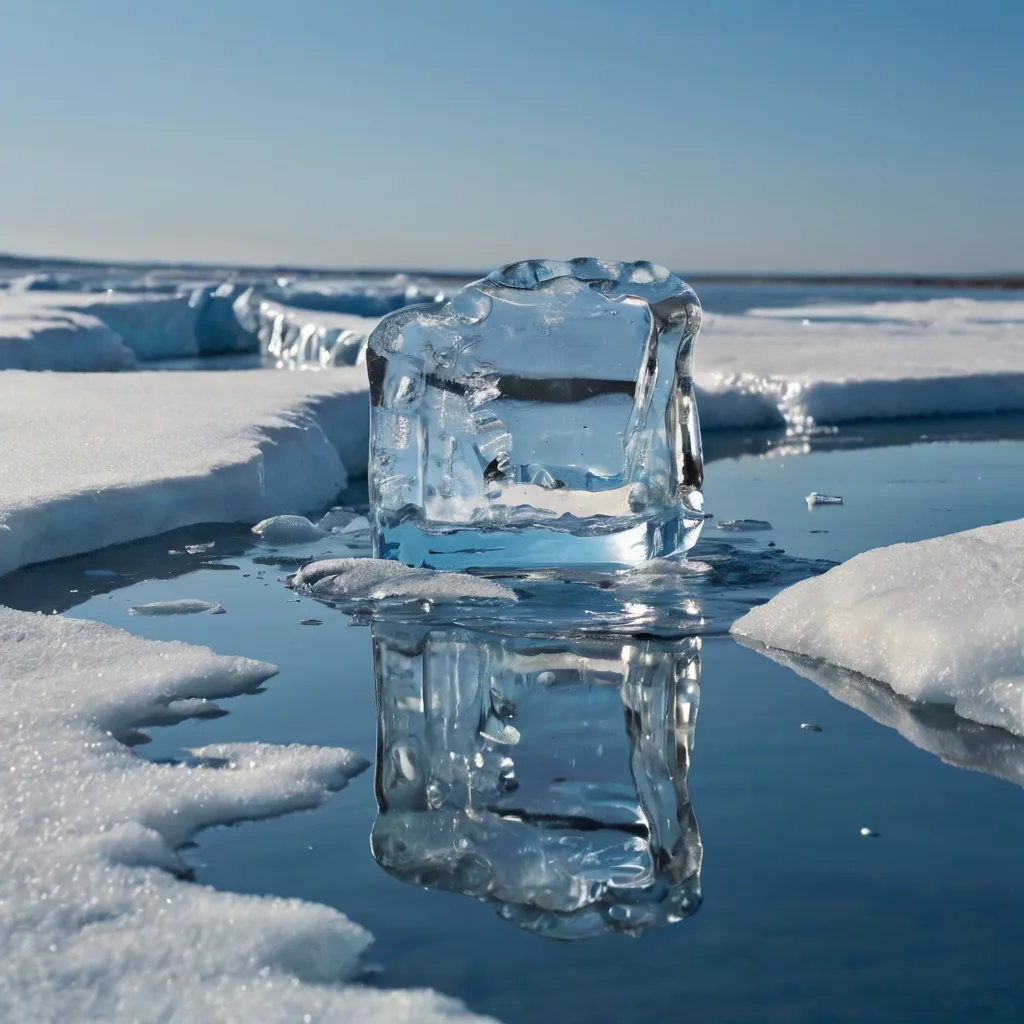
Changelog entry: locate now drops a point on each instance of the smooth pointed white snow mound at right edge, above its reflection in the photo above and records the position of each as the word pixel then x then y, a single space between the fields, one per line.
pixel 938 621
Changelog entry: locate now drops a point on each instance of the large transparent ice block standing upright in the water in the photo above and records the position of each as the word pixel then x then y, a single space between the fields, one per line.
pixel 542 416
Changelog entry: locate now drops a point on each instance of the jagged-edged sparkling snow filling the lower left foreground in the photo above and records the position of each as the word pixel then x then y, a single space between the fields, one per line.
pixel 98 923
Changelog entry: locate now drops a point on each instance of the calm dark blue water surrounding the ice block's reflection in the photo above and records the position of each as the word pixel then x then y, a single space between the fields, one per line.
pixel 804 917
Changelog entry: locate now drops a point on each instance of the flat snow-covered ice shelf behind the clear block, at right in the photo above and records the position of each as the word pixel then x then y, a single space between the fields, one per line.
pixel 831 365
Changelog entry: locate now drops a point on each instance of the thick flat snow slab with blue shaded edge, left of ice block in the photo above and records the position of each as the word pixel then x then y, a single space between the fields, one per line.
pixel 134 455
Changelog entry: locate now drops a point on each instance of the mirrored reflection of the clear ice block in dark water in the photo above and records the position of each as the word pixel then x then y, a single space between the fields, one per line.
pixel 504 773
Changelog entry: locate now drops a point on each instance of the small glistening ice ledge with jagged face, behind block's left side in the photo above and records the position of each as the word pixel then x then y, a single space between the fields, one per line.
pixel 300 339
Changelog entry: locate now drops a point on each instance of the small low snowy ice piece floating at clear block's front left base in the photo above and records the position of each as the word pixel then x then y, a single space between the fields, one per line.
pixel 376 580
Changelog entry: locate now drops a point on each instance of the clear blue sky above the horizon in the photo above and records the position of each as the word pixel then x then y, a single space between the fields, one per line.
pixel 726 135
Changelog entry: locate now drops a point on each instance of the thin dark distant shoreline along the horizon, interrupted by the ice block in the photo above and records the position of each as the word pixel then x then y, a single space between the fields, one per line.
pixel 967 282
